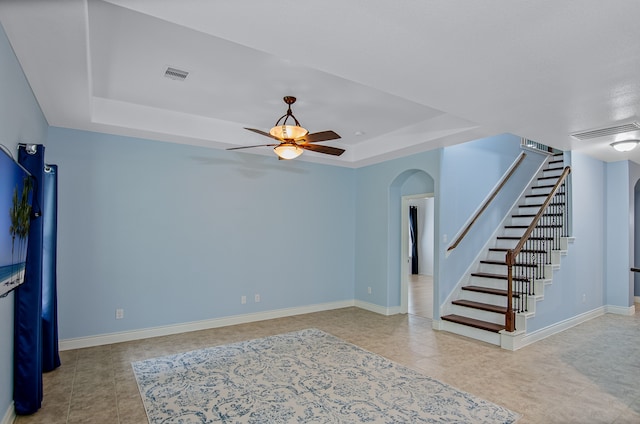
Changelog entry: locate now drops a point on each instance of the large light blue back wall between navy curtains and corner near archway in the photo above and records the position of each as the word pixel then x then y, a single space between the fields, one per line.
pixel 176 234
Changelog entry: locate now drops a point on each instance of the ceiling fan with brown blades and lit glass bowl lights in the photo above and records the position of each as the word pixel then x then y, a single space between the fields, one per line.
pixel 293 140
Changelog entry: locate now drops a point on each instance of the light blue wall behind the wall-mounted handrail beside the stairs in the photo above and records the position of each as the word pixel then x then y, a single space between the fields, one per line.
pixel 468 177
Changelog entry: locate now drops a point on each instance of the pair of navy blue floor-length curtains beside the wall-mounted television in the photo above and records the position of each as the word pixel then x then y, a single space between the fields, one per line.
pixel 35 300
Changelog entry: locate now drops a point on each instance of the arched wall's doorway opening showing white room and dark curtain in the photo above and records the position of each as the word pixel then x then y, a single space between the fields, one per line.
pixel 418 254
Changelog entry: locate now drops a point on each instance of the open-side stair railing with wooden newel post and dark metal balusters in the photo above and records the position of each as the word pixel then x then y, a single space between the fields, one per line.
pixel 539 239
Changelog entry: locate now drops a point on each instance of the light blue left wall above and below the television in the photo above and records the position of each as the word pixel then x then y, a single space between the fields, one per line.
pixel 21 120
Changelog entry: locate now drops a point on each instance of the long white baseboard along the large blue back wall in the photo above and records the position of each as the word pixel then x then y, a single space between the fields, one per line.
pixel 126 336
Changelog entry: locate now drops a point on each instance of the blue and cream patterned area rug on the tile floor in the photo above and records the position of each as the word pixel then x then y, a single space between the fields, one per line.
pixel 303 377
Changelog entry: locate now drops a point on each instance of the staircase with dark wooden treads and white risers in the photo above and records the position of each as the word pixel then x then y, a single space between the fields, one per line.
pixel 480 306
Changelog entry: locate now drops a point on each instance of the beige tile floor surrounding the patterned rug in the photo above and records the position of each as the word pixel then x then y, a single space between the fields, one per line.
pixel 588 374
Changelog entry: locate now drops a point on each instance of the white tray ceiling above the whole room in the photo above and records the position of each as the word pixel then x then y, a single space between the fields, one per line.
pixel 392 78
